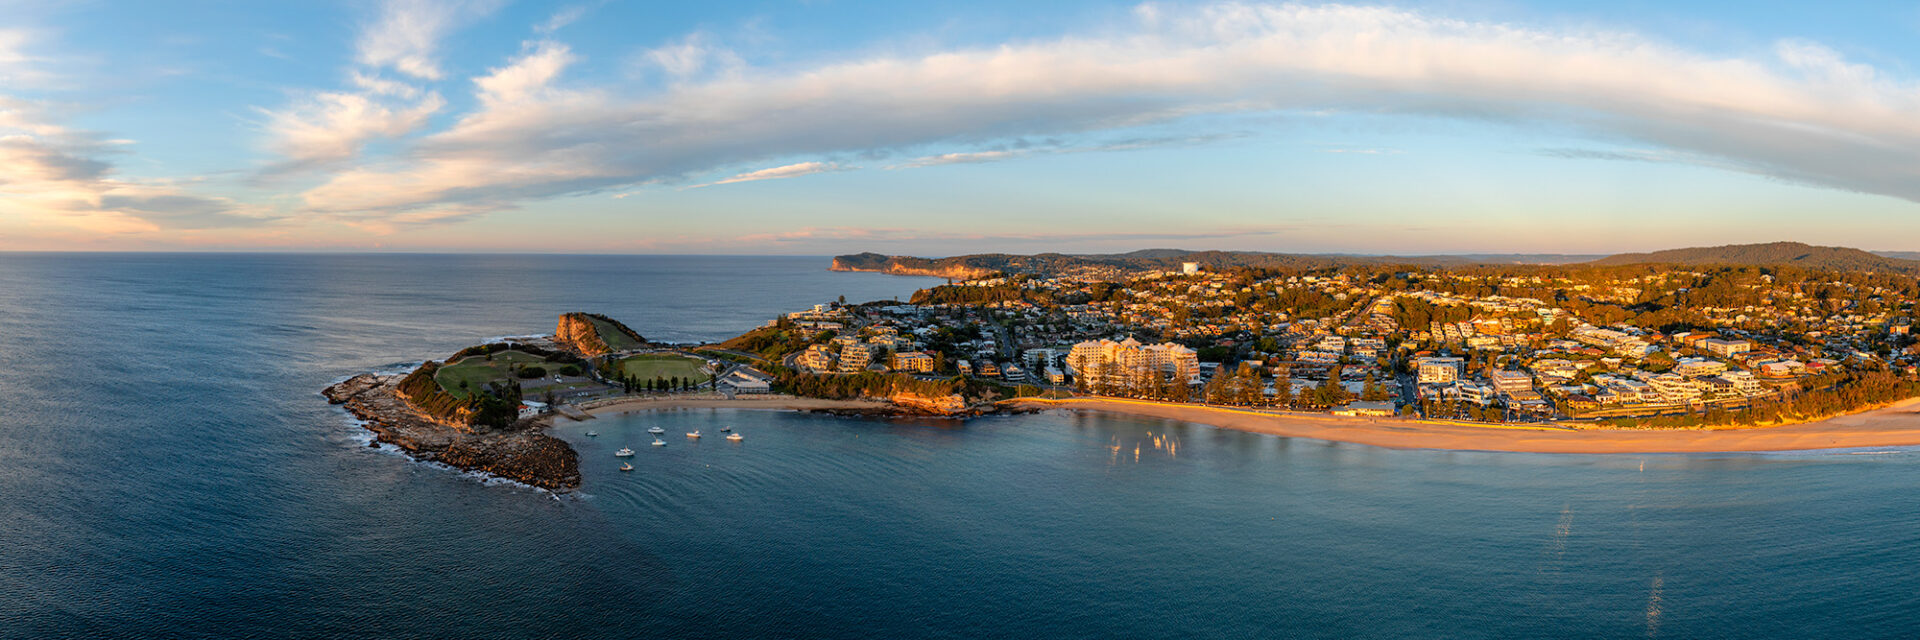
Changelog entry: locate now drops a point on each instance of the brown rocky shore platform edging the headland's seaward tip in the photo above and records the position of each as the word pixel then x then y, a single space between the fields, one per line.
pixel 521 453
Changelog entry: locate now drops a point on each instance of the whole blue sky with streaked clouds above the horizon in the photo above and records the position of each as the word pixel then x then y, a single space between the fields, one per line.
pixel 955 128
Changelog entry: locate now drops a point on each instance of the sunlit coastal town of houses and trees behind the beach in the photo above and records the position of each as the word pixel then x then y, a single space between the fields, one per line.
pixel 1637 345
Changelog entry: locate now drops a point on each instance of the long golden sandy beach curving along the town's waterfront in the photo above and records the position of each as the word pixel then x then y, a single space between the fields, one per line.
pixel 1894 426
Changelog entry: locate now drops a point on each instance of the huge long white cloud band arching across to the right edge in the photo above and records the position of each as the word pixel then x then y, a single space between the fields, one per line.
pixel 1800 114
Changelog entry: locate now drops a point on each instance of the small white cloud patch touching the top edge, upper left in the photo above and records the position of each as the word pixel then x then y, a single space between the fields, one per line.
pixel 406 36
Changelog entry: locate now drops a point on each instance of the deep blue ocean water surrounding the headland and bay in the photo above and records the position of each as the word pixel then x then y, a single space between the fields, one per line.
pixel 168 470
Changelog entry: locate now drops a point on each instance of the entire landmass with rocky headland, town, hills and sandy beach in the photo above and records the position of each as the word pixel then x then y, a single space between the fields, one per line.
pixel 1733 349
